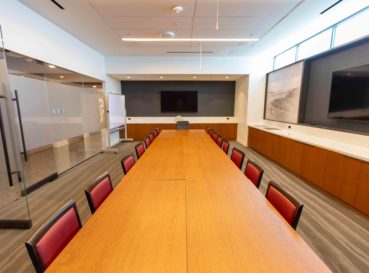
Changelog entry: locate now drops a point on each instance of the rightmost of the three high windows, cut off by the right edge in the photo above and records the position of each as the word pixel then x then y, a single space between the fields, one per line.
pixel 352 29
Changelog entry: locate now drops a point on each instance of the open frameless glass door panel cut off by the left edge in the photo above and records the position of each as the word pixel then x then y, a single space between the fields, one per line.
pixel 14 210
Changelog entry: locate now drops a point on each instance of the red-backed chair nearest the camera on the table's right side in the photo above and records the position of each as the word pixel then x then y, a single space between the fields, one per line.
pixel 286 205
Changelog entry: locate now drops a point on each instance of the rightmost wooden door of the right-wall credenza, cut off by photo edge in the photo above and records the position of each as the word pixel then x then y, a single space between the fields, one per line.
pixel 362 196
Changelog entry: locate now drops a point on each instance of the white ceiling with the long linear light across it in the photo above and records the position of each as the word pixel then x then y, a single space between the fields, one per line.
pixel 102 23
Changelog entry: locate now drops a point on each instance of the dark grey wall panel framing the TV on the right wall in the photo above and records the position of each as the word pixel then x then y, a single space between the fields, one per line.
pixel 319 86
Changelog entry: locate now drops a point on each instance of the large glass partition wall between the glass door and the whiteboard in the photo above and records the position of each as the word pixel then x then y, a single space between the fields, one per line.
pixel 60 119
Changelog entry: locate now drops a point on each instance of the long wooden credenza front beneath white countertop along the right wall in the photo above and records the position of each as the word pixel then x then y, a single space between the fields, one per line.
pixel 344 177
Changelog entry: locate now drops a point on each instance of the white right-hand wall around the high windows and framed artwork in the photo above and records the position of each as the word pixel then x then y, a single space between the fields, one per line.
pixel 292 30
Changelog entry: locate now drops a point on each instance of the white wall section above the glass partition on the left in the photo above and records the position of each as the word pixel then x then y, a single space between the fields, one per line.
pixel 28 33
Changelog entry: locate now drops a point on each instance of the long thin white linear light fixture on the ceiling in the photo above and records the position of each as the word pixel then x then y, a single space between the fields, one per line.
pixel 190 39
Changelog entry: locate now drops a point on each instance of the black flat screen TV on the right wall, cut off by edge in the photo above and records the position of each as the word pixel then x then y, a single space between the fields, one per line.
pixel 350 94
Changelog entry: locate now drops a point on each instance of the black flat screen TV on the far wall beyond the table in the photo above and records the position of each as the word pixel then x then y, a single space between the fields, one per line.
pixel 178 101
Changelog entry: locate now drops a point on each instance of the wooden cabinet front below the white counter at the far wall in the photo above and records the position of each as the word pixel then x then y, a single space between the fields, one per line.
pixel 140 131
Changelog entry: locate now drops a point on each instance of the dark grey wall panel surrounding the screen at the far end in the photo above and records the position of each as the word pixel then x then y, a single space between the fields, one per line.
pixel 215 98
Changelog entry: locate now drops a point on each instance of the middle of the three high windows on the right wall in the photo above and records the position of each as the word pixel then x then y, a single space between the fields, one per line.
pixel 316 44
